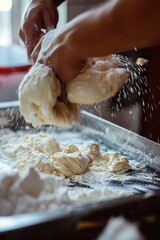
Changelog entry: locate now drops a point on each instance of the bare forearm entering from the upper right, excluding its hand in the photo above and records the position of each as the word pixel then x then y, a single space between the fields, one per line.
pixel 115 26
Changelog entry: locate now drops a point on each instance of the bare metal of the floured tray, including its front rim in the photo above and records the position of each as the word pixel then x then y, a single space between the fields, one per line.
pixel 110 136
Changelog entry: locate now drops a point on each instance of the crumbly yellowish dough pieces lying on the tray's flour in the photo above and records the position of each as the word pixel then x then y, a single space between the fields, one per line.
pixel 46 154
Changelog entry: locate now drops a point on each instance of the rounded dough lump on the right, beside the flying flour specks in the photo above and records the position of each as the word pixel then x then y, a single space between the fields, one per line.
pixel 100 81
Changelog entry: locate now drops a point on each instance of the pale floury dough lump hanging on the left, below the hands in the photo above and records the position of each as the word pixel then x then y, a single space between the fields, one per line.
pixel 38 93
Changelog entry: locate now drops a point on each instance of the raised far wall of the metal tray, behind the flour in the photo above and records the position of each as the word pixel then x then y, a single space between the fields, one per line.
pixel 125 141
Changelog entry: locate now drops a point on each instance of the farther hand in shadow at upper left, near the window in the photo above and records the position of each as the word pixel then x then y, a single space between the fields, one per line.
pixel 39 17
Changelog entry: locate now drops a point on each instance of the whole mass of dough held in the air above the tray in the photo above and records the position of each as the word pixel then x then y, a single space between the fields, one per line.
pixel 42 97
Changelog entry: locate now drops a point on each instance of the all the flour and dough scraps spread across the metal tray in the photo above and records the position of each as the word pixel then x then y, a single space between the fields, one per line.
pixel 42 171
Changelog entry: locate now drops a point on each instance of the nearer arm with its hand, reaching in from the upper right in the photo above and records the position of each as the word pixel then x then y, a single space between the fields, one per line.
pixel 112 27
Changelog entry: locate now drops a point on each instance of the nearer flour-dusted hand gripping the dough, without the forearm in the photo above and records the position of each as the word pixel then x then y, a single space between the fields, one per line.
pixel 56 51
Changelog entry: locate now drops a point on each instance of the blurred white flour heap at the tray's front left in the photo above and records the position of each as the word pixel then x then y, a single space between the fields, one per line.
pixel 31 192
